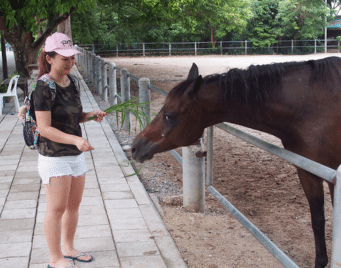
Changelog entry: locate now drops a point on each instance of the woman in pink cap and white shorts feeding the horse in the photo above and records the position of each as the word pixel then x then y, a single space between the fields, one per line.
pixel 61 161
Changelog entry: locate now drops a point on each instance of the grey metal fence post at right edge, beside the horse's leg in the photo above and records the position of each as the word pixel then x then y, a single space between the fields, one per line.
pixel 336 251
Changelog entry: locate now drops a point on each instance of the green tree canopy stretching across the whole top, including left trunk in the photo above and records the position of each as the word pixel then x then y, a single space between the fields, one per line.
pixel 262 22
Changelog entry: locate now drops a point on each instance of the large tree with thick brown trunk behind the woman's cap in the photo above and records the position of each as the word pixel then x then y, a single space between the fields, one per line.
pixel 29 22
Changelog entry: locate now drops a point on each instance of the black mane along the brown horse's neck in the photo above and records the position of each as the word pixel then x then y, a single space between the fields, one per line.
pixel 256 84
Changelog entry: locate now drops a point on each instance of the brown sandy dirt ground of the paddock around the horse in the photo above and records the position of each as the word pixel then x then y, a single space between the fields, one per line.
pixel 263 187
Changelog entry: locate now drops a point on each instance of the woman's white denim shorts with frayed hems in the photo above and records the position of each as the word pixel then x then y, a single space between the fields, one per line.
pixel 49 167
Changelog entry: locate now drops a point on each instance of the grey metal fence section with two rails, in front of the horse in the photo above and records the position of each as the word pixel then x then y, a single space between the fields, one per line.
pixel 313 167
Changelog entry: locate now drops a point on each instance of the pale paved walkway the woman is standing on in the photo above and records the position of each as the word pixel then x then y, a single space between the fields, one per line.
pixel 118 223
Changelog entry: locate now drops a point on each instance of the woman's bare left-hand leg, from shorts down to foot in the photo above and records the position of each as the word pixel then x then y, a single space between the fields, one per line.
pixel 57 196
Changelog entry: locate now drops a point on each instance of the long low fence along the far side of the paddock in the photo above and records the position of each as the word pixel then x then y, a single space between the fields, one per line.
pixel 244 47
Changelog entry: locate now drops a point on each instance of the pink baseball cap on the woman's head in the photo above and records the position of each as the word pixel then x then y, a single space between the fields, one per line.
pixel 60 43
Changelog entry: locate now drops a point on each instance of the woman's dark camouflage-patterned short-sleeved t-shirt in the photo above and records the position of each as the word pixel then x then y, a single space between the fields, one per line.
pixel 66 113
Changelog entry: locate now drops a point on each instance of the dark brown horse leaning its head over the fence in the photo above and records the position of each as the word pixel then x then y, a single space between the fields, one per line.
pixel 298 102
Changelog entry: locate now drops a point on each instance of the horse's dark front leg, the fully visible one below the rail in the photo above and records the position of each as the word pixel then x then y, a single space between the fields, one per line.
pixel 313 188
